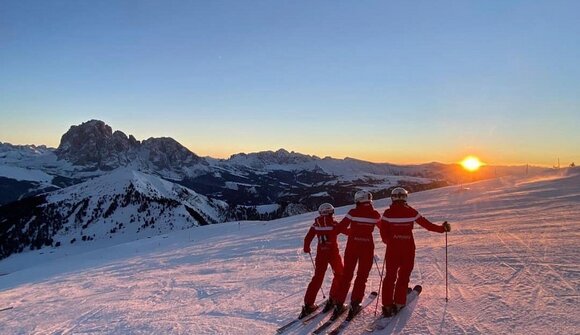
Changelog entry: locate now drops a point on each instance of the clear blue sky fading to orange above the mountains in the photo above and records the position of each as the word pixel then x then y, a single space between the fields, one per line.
pixel 384 81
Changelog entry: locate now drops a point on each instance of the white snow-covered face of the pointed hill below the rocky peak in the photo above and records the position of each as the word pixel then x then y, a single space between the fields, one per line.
pixel 105 191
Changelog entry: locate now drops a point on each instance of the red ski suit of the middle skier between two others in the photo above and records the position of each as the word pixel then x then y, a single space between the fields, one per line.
pixel 360 223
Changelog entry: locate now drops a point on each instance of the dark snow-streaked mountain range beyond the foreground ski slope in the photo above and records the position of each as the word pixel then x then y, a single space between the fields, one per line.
pixel 99 184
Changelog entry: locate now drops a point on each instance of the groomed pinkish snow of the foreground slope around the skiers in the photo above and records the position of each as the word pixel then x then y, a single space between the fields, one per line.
pixel 513 269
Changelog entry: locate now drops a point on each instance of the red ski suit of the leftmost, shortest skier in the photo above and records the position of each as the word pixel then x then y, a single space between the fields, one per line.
pixel 326 253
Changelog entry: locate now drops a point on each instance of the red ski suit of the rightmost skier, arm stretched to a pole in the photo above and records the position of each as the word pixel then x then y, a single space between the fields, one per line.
pixel 396 229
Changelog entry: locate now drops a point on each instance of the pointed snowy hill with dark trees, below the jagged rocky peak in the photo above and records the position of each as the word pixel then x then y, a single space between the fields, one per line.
pixel 123 205
